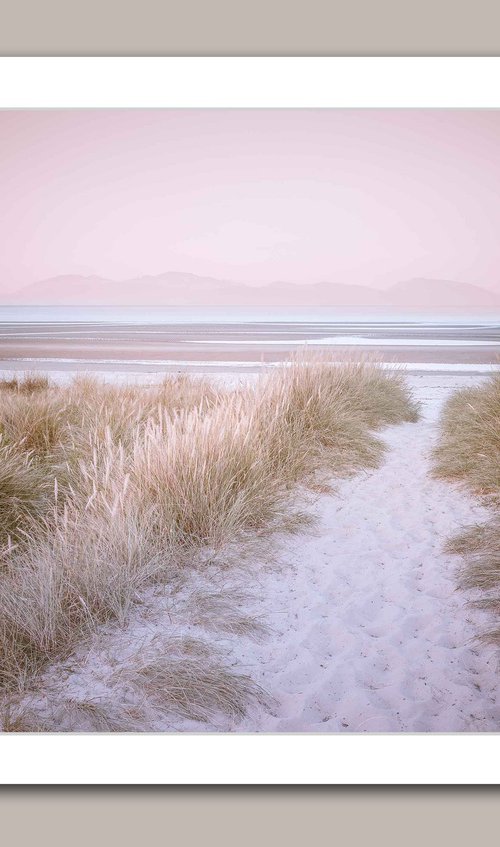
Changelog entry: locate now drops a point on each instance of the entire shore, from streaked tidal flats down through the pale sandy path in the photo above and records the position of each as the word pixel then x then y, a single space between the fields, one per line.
pixel 356 624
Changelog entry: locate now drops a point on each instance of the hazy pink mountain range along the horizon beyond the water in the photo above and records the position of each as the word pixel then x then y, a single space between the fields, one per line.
pixel 180 289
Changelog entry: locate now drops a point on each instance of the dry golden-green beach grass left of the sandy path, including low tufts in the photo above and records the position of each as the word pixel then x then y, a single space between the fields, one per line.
pixel 105 490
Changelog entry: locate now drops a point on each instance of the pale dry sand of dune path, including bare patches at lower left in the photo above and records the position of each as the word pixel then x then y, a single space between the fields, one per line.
pixel 368 631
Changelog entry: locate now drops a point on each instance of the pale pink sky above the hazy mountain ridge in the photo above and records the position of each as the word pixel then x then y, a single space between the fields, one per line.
pixel 357 196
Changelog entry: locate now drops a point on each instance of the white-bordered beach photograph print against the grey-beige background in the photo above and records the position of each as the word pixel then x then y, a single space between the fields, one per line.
pixel 249 420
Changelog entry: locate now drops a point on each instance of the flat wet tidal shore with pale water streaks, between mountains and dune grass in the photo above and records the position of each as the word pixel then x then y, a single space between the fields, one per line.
pixel 87 346
